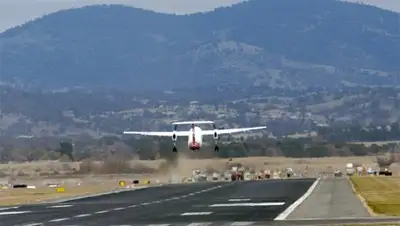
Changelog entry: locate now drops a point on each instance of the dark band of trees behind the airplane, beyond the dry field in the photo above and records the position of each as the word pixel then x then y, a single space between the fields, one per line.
pixel 151 149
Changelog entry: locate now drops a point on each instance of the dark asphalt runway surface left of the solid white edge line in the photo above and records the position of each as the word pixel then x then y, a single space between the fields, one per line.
pixel 224 203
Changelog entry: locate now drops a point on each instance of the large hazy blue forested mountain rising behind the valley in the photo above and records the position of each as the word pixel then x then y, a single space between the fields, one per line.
pixel 274 43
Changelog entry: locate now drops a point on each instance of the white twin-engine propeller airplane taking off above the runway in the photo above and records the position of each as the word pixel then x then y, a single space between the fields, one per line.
pixel 195 134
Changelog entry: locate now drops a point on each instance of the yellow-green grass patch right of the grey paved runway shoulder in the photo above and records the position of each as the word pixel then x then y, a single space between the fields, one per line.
pixel 382 194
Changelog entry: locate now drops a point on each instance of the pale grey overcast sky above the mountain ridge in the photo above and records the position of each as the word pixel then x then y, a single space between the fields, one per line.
pixel 14 12
